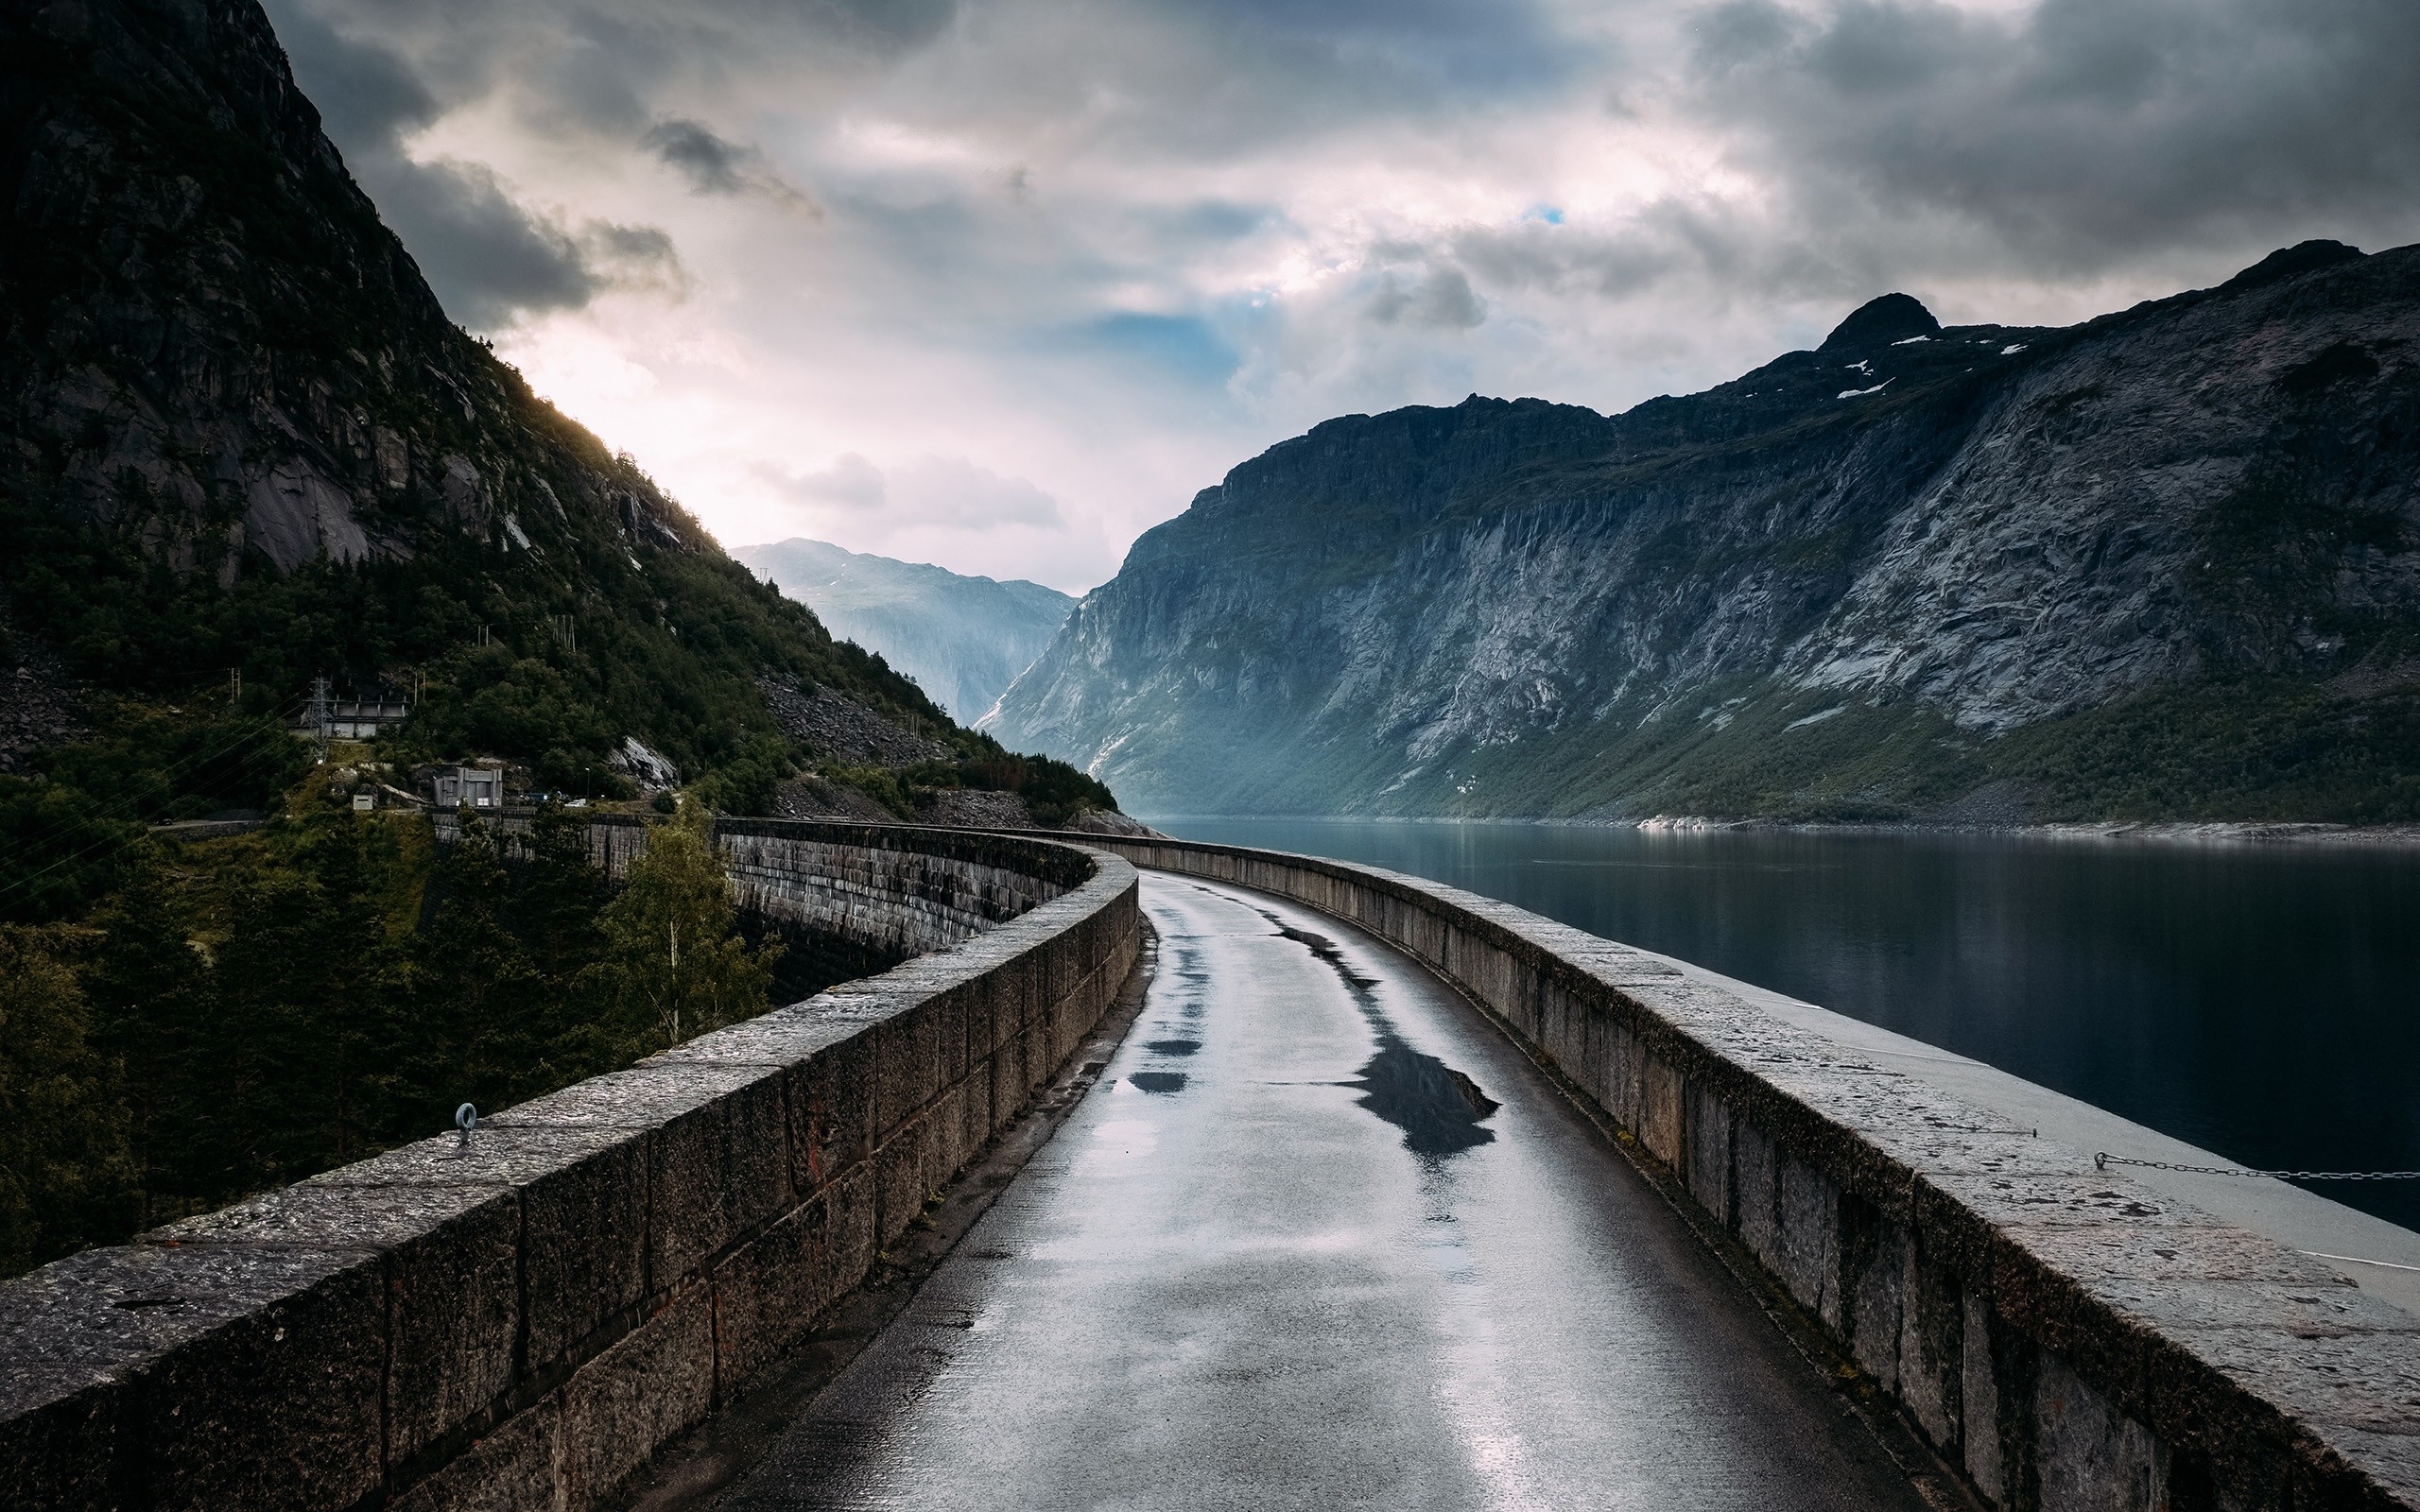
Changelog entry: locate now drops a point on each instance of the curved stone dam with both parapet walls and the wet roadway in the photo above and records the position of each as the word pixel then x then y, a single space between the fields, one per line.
pixel 1388 1196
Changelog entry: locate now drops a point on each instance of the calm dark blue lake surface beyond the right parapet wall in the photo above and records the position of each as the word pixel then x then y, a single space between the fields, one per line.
pixel 2259 1000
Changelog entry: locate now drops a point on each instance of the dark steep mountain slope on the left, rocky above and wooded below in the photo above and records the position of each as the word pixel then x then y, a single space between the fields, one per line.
pixel 241 437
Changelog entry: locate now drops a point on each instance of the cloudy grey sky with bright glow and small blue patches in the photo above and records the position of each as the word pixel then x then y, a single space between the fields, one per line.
pixel 1001 284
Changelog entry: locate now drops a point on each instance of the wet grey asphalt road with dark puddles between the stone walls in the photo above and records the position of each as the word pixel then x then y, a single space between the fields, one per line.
pixel 1323 1240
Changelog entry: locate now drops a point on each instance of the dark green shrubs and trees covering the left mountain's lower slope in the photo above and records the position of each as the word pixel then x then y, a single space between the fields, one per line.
pixel 514 657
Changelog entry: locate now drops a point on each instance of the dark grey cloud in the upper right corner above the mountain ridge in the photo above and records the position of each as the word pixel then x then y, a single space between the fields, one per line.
pixel 2080 132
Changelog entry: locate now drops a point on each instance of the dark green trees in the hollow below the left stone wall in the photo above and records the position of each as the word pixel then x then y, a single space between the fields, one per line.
pixel 246 1012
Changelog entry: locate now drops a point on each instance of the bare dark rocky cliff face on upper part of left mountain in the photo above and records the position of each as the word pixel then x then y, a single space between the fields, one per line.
pixel 212 337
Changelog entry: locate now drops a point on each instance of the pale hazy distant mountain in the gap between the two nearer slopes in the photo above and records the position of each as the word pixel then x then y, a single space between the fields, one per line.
pixel 962 640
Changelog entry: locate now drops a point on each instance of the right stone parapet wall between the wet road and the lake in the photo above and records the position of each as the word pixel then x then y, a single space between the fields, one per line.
pixel 2070 1339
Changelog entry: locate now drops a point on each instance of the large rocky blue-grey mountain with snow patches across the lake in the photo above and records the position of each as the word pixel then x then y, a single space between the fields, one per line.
pixel 2160 565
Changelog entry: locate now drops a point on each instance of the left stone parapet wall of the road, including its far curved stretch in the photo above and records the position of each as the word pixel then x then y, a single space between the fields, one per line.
pixel 519 1320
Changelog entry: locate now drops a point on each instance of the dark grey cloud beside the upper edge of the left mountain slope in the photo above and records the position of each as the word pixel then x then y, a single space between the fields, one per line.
pixel 488 258
